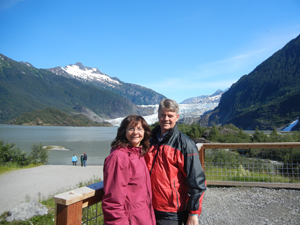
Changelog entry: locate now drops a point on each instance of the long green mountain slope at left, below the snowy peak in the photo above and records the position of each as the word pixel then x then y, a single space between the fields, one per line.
pixel 24 88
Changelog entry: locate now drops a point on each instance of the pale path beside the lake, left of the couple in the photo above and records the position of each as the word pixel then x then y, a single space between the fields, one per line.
pixel 43 181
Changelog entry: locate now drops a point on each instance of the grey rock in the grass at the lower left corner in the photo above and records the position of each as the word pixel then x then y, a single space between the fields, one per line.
pixel 26 210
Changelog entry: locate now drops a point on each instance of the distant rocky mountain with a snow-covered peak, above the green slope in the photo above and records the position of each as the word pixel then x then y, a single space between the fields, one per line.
pixel 135 93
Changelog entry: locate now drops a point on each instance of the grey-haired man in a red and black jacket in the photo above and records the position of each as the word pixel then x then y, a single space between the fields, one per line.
pixel 177 177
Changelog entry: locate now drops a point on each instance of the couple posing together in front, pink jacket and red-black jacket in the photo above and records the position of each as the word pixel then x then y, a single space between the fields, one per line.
pixel 165 173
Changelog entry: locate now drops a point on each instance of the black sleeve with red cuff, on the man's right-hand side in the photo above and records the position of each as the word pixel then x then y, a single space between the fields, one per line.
pixel 195 178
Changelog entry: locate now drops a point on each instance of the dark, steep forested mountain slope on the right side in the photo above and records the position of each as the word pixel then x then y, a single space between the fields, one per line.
pixel 266 98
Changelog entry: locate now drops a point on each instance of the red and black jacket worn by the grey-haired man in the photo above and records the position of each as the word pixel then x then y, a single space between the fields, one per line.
pixel 177 177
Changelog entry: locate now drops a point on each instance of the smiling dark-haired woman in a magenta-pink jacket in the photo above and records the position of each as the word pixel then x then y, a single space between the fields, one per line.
pixel 127 188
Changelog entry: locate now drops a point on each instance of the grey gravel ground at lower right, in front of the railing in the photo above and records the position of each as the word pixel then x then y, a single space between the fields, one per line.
pixel 250 206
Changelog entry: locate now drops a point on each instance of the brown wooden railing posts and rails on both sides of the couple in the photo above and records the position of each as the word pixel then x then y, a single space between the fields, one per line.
pixel 69 205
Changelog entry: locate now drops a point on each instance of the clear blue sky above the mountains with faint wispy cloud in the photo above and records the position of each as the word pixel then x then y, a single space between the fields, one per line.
pixel 180 49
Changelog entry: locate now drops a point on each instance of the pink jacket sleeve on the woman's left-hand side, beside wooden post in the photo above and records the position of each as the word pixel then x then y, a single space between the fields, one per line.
pixel 116 179
